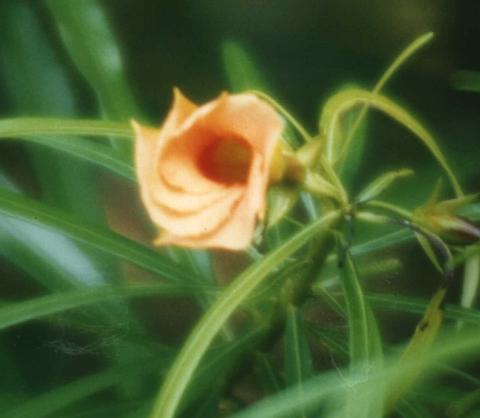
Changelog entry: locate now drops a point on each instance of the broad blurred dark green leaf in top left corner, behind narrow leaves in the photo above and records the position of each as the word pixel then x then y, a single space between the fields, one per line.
pixel 38 84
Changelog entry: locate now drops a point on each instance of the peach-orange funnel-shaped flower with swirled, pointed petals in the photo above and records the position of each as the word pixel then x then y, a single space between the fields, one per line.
pixel 203 175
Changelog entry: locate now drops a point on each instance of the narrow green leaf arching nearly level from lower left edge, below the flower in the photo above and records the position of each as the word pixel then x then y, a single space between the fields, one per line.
pixel 16 313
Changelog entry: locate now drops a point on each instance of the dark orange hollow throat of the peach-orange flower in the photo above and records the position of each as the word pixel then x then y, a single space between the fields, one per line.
pixel 226 160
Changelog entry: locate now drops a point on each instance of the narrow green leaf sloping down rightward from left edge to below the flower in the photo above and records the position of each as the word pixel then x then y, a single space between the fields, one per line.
pixel 96 236
